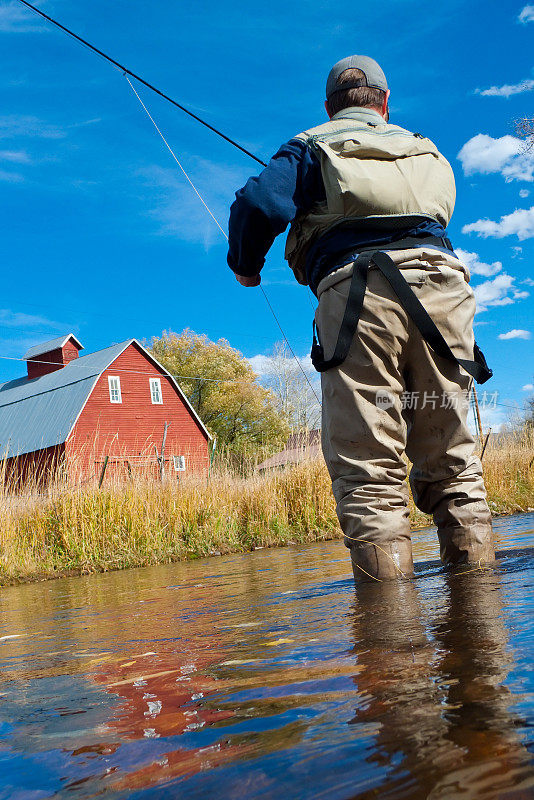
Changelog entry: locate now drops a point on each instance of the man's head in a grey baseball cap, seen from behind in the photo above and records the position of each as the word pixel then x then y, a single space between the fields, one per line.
pixel 357 81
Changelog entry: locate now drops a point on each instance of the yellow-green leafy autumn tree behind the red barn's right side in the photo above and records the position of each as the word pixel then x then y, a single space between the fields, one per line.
pixel 222 387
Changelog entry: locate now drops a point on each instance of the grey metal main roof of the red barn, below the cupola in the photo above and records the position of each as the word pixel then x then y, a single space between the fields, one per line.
pixel 41 412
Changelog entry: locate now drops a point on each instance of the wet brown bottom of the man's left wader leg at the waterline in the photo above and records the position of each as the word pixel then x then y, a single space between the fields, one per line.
pixel 382 562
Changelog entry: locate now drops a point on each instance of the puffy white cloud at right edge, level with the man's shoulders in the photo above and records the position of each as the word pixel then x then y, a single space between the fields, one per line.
pixel 506 155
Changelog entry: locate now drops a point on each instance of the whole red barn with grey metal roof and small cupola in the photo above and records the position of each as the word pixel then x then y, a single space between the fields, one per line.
pixel 111 406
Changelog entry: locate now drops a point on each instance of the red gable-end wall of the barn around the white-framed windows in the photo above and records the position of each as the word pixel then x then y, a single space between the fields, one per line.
pixel 129 432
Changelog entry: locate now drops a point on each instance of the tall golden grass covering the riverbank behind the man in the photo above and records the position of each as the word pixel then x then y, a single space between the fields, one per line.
pixel 75 531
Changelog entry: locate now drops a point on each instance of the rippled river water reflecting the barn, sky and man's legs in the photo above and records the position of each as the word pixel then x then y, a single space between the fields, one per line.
pixel 266 675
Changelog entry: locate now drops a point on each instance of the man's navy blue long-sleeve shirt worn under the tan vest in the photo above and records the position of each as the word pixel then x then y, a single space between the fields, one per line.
pixel 291 184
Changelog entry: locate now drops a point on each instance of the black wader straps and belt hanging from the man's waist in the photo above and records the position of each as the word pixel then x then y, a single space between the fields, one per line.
pixel 478 368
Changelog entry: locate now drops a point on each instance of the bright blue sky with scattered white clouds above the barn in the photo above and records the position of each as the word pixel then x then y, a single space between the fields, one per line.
pixel 103 236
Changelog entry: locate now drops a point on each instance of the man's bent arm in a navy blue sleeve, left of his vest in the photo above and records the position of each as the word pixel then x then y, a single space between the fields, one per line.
pixel 265 206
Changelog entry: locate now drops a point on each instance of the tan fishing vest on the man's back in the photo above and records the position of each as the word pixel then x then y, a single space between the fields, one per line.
pixel 371 171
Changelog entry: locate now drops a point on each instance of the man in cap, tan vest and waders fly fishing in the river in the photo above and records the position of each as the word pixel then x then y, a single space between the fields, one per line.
pixel 368 204
